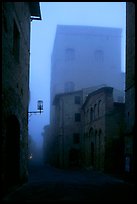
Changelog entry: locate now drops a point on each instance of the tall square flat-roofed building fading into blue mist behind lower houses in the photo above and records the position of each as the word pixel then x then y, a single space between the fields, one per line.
pixel 79 54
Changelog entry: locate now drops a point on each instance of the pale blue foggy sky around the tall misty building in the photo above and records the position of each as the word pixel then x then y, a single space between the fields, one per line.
pixel 104 14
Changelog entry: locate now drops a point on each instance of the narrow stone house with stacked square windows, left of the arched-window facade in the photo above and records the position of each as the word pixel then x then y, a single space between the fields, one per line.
pixel 67 129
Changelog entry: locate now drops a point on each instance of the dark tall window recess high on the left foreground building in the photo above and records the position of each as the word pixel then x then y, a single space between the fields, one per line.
pixel 16 42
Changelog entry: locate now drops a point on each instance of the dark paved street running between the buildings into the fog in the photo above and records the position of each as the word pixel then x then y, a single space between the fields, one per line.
pixel 48 184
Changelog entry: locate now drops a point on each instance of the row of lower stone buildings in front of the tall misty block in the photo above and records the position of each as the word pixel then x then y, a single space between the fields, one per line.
pixel 89 129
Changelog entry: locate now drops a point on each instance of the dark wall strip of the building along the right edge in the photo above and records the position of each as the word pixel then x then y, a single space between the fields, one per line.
pixel 130 158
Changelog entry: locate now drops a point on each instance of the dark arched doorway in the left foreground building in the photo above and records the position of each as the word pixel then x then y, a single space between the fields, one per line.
pixel 12 150
